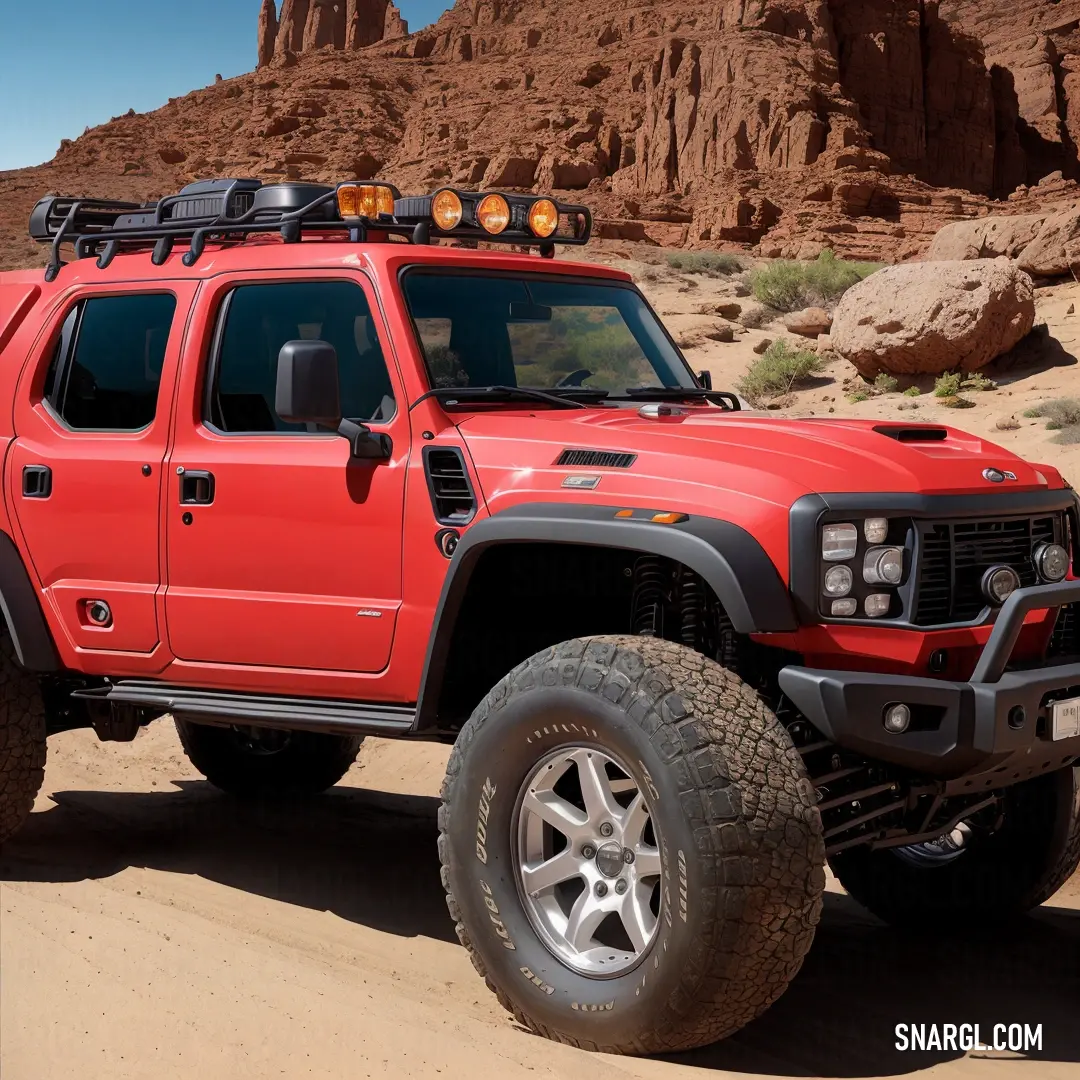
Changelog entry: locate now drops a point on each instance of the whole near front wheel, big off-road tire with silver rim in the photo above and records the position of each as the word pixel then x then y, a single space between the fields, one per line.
pixel 732 858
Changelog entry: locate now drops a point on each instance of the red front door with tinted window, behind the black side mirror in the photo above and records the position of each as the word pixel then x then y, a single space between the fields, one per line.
pixel 283 552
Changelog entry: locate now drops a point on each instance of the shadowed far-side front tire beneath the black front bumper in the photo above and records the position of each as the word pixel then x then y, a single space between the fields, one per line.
pixel 1000 876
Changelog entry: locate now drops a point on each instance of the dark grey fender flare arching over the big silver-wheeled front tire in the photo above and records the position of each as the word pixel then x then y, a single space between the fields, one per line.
pixel 732 561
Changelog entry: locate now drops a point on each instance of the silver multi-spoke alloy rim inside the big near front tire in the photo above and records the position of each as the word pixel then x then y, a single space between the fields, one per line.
pixel 588 861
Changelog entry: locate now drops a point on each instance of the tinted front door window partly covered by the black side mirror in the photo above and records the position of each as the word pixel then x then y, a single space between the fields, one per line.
pixel 259 320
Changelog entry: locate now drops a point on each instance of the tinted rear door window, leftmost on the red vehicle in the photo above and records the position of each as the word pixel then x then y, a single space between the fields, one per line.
pixel 106 370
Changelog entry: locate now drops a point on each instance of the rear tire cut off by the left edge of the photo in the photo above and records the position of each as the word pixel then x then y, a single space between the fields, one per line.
pixel 22 741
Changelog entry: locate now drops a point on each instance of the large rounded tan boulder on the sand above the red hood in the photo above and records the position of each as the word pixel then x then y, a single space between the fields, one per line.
pixel 930 318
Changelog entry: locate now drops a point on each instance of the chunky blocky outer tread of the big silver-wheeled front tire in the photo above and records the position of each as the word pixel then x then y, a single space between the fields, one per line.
pixel 705 719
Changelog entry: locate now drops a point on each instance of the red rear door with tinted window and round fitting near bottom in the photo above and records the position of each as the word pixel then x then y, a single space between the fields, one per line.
pixel 85 475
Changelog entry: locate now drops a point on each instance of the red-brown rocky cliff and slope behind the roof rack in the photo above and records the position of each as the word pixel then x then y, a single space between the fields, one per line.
pixel 785 127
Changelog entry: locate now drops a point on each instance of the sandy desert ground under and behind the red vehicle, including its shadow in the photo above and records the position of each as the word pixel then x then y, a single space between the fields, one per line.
pixel 152 927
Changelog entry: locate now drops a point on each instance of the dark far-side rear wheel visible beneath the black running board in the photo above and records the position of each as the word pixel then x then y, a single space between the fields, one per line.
pixel 264 763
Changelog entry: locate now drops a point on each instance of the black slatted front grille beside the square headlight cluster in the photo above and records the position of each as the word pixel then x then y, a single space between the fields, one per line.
pixel 955 556
